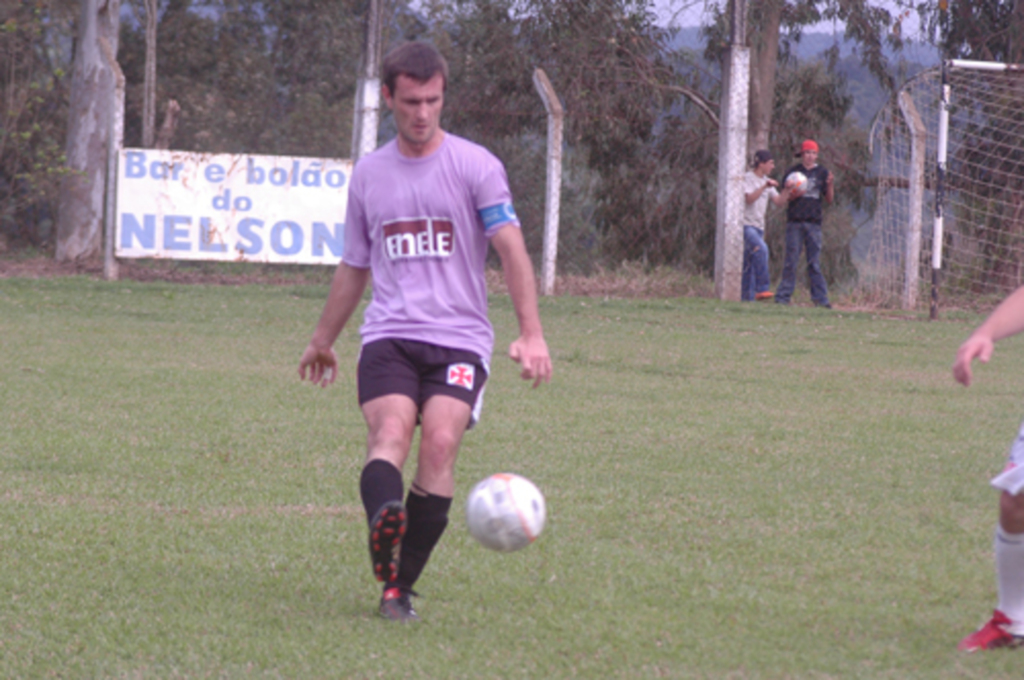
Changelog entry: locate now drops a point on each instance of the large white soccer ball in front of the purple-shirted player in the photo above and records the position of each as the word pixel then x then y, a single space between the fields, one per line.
pixel 505 513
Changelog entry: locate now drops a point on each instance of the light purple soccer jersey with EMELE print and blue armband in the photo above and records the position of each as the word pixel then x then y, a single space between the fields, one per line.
pixel 422 227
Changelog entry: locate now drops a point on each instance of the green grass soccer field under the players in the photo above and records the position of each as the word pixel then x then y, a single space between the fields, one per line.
pixel 735 491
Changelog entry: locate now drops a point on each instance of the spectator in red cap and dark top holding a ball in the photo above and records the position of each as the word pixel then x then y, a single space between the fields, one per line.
pixel 803 227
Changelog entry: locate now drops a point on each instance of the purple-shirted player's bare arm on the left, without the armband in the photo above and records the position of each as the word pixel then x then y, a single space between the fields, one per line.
pixel 347 291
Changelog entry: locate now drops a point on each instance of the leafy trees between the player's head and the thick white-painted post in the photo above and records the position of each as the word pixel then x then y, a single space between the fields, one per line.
pixel 612 67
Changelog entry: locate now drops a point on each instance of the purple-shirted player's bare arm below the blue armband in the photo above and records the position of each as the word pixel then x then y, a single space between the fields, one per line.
pixel 530 350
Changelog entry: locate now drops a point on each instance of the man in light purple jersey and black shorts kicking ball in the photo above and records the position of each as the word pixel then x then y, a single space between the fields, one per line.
pixel 422 210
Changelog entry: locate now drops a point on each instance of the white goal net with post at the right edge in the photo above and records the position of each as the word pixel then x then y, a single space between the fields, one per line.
pixel 950 153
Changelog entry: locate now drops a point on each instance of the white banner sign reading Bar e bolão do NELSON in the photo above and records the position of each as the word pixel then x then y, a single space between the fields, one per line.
pixel 190 206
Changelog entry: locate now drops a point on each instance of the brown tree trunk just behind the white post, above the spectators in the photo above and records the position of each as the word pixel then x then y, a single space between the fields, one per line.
pixel 764 32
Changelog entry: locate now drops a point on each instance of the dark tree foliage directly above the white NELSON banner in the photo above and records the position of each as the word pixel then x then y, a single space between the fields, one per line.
pixel 253 77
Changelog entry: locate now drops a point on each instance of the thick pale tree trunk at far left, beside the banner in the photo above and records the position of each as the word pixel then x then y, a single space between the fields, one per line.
pixel 80 218
